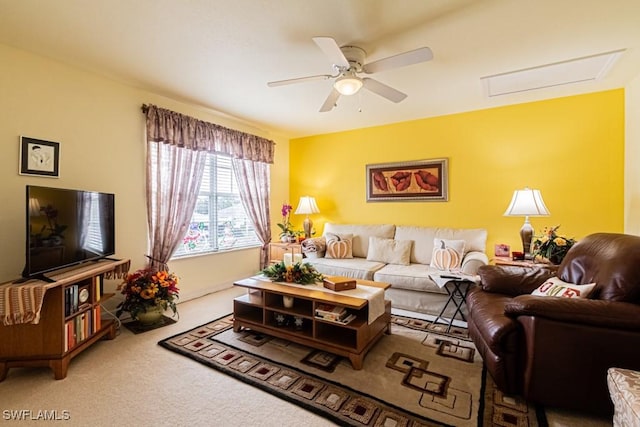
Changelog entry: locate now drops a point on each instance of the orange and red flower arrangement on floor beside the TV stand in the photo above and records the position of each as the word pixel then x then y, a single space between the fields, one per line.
pixel 148 290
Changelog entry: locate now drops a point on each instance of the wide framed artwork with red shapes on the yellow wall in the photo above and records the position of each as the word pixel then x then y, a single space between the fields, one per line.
pixel 422 180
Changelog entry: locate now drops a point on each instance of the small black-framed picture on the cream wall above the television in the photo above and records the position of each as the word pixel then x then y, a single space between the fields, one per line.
pixel 39 157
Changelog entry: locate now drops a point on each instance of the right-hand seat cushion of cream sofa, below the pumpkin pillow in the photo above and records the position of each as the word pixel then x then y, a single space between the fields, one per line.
pixel 415 277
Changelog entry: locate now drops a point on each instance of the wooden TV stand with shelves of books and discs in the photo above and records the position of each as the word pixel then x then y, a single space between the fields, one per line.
pixel 65 328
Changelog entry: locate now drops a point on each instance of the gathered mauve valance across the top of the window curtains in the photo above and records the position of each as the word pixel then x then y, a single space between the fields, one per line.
pixel 177 129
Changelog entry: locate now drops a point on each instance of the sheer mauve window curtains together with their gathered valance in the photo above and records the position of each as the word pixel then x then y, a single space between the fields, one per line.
pixel 176 154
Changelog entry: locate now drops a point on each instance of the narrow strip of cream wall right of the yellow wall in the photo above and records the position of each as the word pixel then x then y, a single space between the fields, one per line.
pixel 632 158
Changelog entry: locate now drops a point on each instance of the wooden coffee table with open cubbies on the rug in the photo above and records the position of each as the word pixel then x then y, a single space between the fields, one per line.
pixel 262 309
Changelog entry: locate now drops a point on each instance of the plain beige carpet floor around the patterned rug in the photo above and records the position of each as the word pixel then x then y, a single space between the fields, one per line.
pixel 133 381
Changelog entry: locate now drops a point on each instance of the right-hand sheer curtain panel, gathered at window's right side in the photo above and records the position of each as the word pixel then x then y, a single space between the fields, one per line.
pixel 254 183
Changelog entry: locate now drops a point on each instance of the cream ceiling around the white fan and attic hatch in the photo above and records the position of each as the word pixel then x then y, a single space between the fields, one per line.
pixel 221 54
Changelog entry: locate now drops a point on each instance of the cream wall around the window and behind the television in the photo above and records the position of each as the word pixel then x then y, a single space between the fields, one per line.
pixel 100 127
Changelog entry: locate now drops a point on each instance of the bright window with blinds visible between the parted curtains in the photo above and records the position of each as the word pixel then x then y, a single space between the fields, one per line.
pixel 219 221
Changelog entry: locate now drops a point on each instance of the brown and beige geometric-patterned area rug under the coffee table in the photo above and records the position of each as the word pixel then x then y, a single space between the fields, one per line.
pixel 417 376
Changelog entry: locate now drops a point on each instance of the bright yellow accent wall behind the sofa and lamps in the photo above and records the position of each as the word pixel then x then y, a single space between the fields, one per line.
pixel 571 149
